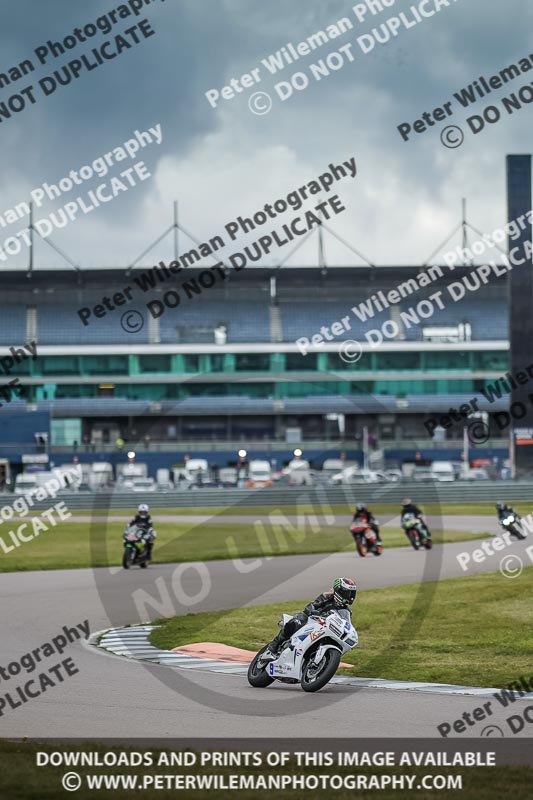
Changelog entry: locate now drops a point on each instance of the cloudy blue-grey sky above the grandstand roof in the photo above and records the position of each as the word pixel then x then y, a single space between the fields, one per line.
pixel 219 163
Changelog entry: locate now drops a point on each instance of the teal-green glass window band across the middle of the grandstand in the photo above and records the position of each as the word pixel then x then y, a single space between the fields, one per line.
pixel 276 375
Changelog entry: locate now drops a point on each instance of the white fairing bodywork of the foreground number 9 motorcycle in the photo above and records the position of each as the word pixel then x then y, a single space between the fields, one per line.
pixel 335 631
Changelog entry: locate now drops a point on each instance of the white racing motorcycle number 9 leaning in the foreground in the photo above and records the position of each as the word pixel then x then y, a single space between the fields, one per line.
pixel 311 657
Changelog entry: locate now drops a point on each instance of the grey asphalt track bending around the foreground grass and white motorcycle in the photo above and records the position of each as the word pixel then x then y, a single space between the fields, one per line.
pixel 115 697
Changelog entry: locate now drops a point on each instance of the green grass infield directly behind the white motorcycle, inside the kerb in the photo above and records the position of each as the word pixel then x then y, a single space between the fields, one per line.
pixel 475 631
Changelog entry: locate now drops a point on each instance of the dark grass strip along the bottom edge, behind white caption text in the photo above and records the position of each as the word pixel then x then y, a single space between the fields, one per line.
pixel 21 779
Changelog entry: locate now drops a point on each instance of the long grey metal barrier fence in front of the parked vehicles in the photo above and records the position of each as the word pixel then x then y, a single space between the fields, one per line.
pixel 486 491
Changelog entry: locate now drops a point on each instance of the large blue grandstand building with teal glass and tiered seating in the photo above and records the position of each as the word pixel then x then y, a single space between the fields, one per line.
pixel 223 365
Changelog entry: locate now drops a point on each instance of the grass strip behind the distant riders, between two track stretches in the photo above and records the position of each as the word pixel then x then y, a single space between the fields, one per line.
pixel 99 544
